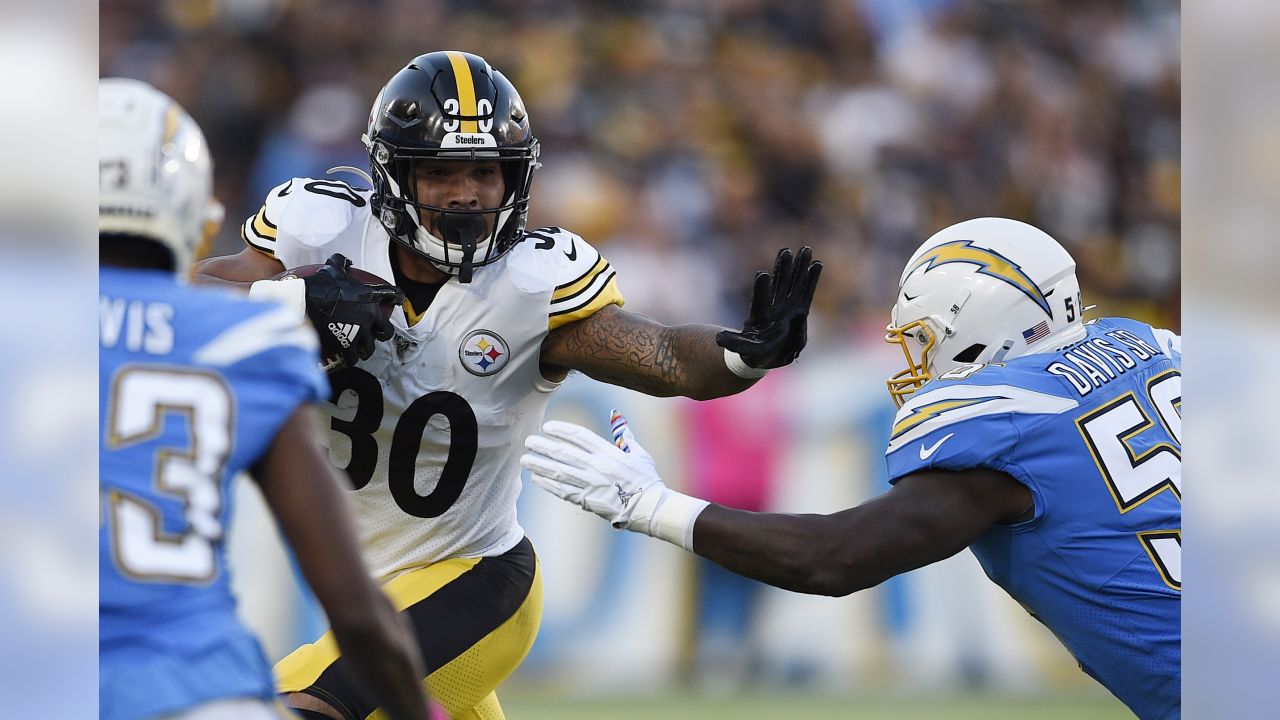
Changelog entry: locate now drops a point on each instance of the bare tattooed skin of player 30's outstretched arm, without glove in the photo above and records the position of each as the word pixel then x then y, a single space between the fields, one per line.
pixel 638 353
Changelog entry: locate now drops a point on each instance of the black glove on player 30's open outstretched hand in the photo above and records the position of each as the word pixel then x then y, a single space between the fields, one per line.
pixel 775 331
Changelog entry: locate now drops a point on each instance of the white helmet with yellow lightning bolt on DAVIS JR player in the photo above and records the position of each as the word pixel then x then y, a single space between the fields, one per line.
pixel 982 291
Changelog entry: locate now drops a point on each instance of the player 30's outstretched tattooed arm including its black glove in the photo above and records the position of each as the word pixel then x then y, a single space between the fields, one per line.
pixel 700 362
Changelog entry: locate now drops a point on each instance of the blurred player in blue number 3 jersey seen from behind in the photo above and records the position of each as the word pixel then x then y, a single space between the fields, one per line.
pixel 198 386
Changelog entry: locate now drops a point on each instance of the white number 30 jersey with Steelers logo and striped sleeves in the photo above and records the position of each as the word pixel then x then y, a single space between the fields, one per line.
pixel 432 427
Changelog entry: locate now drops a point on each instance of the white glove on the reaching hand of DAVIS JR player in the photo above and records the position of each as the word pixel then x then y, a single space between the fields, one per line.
pixel 618 482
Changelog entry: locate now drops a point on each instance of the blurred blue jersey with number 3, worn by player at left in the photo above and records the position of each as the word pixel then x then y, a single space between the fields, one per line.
pixel 194 388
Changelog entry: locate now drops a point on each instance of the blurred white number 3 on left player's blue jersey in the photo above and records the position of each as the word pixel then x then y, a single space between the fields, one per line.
pixel 140 400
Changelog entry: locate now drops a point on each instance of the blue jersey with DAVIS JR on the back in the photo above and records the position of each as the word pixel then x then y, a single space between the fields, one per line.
pixel 1095 432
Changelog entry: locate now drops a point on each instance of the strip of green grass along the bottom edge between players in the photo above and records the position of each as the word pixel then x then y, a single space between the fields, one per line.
pixel 520 707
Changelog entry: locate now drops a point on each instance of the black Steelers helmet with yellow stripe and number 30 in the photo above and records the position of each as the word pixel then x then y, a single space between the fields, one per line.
pixel 451 106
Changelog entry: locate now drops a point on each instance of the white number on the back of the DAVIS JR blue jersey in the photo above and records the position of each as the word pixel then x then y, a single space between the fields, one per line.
pixel 1135 479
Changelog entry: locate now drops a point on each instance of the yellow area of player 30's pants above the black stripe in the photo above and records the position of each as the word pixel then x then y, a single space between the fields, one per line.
pixel 304 667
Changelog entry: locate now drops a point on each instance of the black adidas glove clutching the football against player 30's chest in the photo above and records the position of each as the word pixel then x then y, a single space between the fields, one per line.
pixel 349 315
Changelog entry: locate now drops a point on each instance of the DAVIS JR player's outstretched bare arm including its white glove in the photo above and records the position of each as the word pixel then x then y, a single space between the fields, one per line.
pixel 926 517
